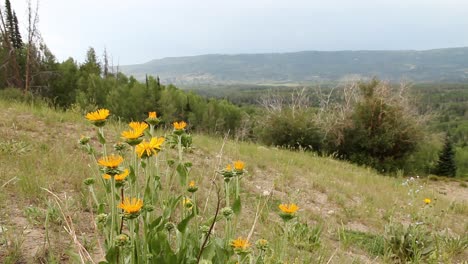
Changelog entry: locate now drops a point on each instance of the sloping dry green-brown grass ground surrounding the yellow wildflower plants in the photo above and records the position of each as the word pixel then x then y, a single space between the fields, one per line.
pixel 346 212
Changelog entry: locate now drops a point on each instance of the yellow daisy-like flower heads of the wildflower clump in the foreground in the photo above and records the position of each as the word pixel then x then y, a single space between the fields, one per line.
pixel 144 149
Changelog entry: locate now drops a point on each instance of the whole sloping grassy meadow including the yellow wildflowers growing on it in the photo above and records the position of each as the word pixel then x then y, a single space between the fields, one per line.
pixel 58 208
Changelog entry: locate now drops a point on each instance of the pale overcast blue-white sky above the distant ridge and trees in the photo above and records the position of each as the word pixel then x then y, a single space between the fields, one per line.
pixel 136 31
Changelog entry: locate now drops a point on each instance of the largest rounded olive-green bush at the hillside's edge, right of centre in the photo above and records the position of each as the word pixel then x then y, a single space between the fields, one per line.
pixel 379 131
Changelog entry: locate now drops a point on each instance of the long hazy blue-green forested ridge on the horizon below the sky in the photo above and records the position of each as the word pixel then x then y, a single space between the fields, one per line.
pixel 437 65
